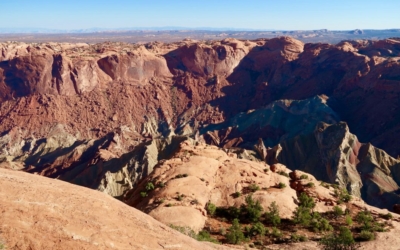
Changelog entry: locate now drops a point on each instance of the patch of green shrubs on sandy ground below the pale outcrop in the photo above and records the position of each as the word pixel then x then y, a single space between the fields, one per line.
pixel 260 228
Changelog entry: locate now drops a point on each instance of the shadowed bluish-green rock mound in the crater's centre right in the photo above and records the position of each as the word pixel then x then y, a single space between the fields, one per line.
pixel 277 122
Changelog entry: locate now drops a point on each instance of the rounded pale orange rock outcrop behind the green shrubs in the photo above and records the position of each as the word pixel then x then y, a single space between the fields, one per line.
pixel 179 189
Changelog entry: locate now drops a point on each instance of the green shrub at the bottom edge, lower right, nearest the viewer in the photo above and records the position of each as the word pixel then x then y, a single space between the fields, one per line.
pixel 343 240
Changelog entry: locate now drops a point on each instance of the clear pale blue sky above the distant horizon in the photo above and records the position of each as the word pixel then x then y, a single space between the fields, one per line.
pixel 252 14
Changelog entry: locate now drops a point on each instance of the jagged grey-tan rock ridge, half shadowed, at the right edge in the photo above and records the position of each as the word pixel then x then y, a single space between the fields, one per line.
pixel 334 155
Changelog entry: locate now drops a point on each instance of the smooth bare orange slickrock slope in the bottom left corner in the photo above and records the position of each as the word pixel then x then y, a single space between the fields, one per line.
pixel 42 213
